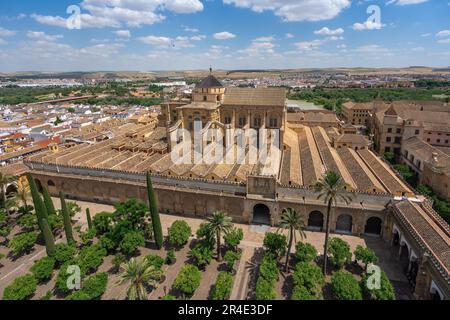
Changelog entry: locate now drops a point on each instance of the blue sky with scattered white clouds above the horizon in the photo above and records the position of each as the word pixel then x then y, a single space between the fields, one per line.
pixel 227 34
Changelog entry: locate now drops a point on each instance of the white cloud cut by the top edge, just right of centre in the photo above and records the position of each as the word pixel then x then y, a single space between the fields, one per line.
pixel 296 10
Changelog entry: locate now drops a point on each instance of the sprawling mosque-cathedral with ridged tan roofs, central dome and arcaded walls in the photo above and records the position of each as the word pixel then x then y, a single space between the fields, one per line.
pixel 312 143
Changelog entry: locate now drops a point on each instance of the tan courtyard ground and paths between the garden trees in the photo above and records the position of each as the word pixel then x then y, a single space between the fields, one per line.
pixel 244 276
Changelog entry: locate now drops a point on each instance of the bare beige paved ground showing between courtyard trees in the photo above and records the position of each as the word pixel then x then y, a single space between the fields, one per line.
pixel 245 277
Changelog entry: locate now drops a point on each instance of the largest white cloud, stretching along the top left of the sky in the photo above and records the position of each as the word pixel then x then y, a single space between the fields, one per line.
pixel 116 13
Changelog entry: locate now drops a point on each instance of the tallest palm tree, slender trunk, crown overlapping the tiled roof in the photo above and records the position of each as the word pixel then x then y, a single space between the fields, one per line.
pixel 331 188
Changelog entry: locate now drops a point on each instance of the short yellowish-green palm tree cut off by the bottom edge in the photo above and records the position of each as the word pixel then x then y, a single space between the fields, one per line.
pixel 139 273
